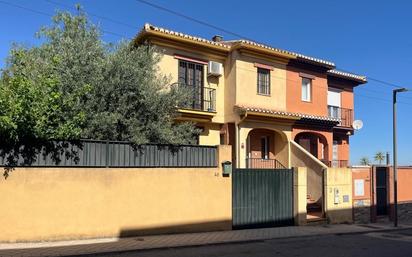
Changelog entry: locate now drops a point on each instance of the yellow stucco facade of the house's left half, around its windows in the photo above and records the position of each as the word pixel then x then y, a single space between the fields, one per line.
pixel 235 87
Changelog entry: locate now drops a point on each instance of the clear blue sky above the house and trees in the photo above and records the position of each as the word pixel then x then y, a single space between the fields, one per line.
pixel 371 38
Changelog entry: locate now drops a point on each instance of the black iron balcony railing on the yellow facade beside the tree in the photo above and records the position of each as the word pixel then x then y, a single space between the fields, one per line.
pixel 201 98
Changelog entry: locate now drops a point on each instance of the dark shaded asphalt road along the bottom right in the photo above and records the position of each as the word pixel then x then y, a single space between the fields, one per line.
pixel 391 244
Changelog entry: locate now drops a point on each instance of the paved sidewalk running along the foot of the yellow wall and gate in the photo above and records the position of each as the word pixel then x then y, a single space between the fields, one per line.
pixel 107 245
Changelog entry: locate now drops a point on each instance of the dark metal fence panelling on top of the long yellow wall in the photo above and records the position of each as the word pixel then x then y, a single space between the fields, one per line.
pixel 97 153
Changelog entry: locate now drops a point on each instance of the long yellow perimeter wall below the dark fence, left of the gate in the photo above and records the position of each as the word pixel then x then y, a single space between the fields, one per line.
pixel 73 203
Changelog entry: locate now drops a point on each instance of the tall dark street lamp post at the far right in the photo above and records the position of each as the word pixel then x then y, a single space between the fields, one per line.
pixel 395 157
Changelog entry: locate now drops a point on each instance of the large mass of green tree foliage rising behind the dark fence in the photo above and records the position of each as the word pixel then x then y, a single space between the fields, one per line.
pixel 73 85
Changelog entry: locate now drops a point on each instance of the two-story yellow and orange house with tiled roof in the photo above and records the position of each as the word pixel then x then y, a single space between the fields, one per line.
pixel 259 98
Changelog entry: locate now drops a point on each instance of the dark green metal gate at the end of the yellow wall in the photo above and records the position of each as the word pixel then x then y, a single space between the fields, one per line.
pixel 262 198
